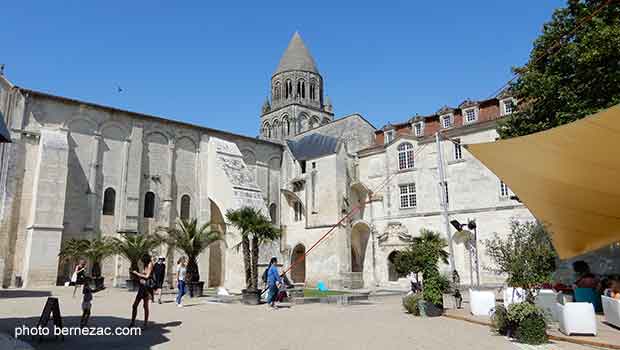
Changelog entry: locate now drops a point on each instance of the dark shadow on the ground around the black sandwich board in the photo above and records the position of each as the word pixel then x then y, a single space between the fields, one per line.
pixel 151 336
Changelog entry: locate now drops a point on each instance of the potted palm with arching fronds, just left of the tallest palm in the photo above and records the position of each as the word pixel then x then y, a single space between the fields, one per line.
pixel 192 239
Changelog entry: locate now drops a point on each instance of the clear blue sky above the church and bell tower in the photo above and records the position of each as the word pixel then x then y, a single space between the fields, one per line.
pixel 209 62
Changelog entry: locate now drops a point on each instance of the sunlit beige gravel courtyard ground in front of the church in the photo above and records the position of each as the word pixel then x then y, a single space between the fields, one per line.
pixel 204 325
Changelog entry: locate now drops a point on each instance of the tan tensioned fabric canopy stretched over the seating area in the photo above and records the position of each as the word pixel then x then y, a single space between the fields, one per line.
pixel 568 177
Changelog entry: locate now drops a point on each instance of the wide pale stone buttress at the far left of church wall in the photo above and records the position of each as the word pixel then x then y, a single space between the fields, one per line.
pixel 44 233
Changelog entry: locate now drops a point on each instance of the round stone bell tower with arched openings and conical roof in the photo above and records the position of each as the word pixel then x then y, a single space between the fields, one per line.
pixel 297 101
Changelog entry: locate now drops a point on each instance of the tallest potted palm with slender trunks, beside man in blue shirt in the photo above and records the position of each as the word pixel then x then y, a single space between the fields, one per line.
pixel 255 229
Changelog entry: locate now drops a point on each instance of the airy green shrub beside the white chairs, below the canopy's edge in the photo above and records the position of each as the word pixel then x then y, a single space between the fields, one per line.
pixel 526 255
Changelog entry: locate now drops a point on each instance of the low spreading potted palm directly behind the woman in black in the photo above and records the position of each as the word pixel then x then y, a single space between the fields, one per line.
pixel 133 246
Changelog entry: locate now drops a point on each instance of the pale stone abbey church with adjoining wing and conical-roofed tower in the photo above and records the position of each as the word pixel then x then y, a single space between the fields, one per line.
pixel 77 169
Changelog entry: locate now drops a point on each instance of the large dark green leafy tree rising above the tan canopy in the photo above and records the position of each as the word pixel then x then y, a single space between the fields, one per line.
pixel 573 78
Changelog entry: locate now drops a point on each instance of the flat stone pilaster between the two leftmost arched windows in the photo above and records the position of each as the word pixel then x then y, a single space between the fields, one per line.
pixel 133 180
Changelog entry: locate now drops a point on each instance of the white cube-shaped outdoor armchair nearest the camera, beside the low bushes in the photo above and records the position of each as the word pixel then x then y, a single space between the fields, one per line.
pixel 576 318
